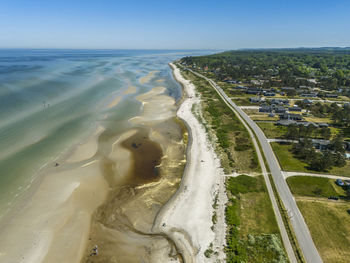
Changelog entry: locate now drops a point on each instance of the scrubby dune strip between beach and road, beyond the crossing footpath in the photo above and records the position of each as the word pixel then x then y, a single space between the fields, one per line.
pixel 233 142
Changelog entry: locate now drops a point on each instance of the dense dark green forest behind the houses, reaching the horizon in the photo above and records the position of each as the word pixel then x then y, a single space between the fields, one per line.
pixel 280 67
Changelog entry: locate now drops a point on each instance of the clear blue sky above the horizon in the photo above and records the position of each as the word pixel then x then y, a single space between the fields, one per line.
pixel 174 24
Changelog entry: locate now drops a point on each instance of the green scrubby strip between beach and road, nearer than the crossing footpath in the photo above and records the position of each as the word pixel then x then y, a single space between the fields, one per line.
pixel 253 231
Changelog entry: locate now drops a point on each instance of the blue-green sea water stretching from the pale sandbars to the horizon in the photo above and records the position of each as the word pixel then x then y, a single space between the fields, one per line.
pixel 51 99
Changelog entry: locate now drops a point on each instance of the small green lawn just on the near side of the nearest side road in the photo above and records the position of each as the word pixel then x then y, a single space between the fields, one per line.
pixel 314 186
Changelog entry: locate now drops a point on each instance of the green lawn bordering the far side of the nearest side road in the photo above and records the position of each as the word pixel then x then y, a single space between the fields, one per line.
pixel 289 163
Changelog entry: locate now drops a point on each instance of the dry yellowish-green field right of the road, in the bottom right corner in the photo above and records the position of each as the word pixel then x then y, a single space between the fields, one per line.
pixel 329 224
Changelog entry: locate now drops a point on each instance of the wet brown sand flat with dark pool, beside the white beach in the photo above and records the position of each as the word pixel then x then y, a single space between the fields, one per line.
pixel 153 162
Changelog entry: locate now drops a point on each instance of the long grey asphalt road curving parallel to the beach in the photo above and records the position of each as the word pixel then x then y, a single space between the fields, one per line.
pixel 300 228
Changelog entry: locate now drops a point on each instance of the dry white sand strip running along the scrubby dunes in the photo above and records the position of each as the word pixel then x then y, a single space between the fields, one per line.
pixel 188 215
